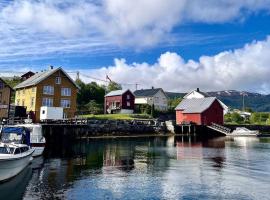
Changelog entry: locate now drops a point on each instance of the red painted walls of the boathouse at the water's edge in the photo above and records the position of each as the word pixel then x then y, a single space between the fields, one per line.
pixel 213 114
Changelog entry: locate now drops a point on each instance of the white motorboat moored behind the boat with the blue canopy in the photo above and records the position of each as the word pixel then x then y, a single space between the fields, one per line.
pixel 37 141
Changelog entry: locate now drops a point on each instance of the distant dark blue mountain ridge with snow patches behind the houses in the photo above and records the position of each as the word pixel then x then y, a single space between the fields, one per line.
pixel 234 99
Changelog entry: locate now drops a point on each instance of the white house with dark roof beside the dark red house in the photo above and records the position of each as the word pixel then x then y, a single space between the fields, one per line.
pixel 152 96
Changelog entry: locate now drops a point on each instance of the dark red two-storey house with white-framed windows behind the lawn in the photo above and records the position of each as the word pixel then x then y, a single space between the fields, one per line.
pixel 119 101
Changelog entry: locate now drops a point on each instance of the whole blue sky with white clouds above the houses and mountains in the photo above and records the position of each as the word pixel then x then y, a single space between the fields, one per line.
pixel 178 45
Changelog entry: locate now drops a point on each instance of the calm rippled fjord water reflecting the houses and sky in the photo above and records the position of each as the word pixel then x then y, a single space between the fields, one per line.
pixel 148 168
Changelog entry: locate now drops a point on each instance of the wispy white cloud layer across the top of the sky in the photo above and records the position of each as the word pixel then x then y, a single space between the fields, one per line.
pixel 137 23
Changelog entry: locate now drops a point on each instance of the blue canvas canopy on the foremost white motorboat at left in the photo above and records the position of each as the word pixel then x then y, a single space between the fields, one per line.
pixel 16 134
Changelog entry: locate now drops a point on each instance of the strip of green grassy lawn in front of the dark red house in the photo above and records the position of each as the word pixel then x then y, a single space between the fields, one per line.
pixel 118 116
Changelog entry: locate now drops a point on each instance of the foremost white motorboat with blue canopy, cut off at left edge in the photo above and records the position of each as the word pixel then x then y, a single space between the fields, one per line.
pixel 15 152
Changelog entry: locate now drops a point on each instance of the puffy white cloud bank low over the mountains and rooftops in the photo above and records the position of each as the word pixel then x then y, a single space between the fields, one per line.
pixel 243 69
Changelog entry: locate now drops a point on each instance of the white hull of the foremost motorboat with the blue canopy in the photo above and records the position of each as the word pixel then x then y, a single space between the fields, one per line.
pixel 13 166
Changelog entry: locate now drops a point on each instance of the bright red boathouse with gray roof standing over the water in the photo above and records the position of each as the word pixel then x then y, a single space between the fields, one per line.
pixel 203 111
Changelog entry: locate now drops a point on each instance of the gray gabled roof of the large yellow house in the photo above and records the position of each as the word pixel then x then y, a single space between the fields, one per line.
pixel 38 77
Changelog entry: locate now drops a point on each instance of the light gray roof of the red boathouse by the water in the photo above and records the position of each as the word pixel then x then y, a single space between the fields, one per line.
pixel 195 105
